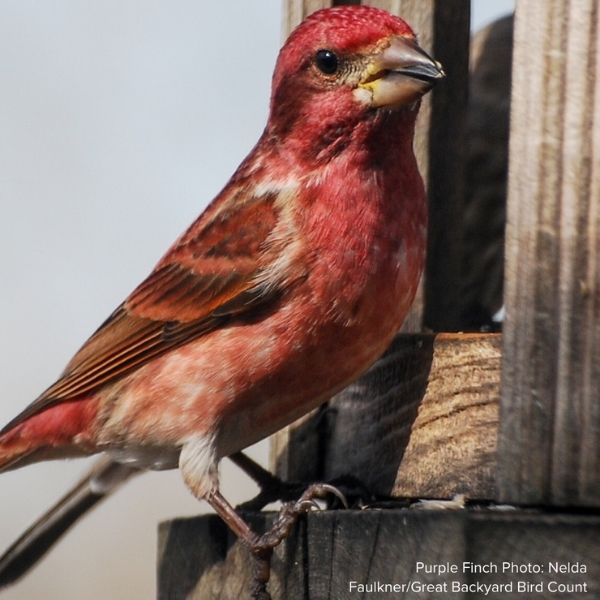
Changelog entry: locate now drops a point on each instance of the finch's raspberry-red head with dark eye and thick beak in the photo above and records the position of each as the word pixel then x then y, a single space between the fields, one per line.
pixel 345 62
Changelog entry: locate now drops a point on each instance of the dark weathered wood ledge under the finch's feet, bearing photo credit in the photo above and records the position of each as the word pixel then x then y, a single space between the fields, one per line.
pixel 198 559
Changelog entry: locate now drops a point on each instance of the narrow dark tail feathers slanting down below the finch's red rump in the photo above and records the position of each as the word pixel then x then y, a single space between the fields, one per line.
pixel 104 478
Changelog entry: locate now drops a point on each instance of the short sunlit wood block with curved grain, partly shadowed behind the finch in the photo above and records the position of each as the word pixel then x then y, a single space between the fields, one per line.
pixel 421 423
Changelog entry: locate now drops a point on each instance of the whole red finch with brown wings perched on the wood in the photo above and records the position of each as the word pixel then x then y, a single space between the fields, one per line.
pixel 288 286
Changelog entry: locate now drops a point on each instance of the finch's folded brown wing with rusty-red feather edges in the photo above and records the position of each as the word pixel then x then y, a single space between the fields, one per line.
pixel 213 273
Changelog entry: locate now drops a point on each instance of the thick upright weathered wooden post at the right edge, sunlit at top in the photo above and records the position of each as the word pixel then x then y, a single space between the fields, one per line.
pixel 550 428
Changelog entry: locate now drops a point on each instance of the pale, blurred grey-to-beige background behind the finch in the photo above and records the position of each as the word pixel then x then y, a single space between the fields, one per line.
pixel 120 120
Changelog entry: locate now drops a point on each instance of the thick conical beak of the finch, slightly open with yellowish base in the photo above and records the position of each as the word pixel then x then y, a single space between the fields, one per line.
pixel 399 74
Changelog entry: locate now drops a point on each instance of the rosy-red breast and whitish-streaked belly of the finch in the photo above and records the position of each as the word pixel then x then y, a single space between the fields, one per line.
pixel 248 379
